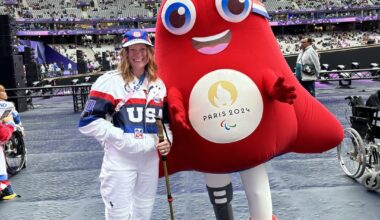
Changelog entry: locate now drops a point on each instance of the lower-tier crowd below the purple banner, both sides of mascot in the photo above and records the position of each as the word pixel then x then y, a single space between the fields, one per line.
pixel 94 54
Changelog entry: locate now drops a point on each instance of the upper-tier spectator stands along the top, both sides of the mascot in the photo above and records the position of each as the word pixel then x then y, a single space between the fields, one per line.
pixel 69 9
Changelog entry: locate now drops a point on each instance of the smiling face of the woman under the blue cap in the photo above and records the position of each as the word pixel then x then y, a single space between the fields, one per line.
pixel 137 55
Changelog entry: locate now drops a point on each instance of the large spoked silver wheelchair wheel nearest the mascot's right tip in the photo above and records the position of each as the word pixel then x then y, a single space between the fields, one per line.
pixel 351 154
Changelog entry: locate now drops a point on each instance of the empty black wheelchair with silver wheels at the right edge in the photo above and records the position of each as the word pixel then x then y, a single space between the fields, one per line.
pixel 359 152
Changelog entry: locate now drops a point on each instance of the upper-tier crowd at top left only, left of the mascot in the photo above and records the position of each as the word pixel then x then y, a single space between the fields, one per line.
pixel 73 9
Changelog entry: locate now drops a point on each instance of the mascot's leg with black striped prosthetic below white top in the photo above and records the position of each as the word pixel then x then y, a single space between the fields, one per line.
pixel 220 192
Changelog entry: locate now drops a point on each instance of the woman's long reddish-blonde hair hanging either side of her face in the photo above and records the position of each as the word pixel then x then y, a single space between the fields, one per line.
pixel 126 69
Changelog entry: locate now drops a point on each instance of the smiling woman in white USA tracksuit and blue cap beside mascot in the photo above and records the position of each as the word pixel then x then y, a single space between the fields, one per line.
pixel 120 114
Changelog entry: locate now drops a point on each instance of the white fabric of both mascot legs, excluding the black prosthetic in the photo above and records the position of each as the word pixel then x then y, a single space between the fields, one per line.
pixel 256 187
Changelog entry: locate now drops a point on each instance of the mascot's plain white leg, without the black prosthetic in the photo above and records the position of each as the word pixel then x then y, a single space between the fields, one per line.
pixel 256 186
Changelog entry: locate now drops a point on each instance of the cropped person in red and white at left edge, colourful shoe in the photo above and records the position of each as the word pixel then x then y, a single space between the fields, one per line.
pixel 7 126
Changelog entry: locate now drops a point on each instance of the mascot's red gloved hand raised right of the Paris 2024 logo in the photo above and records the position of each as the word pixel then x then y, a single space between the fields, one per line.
pixel 283 92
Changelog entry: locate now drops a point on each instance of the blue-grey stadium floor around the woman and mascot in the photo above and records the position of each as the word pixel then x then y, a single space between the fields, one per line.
pixel 61 179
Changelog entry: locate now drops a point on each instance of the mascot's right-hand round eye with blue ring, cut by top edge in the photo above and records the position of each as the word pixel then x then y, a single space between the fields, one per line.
pixel 234 10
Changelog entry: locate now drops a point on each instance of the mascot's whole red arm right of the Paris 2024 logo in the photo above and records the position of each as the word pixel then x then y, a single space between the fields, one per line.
pixel 279 90
